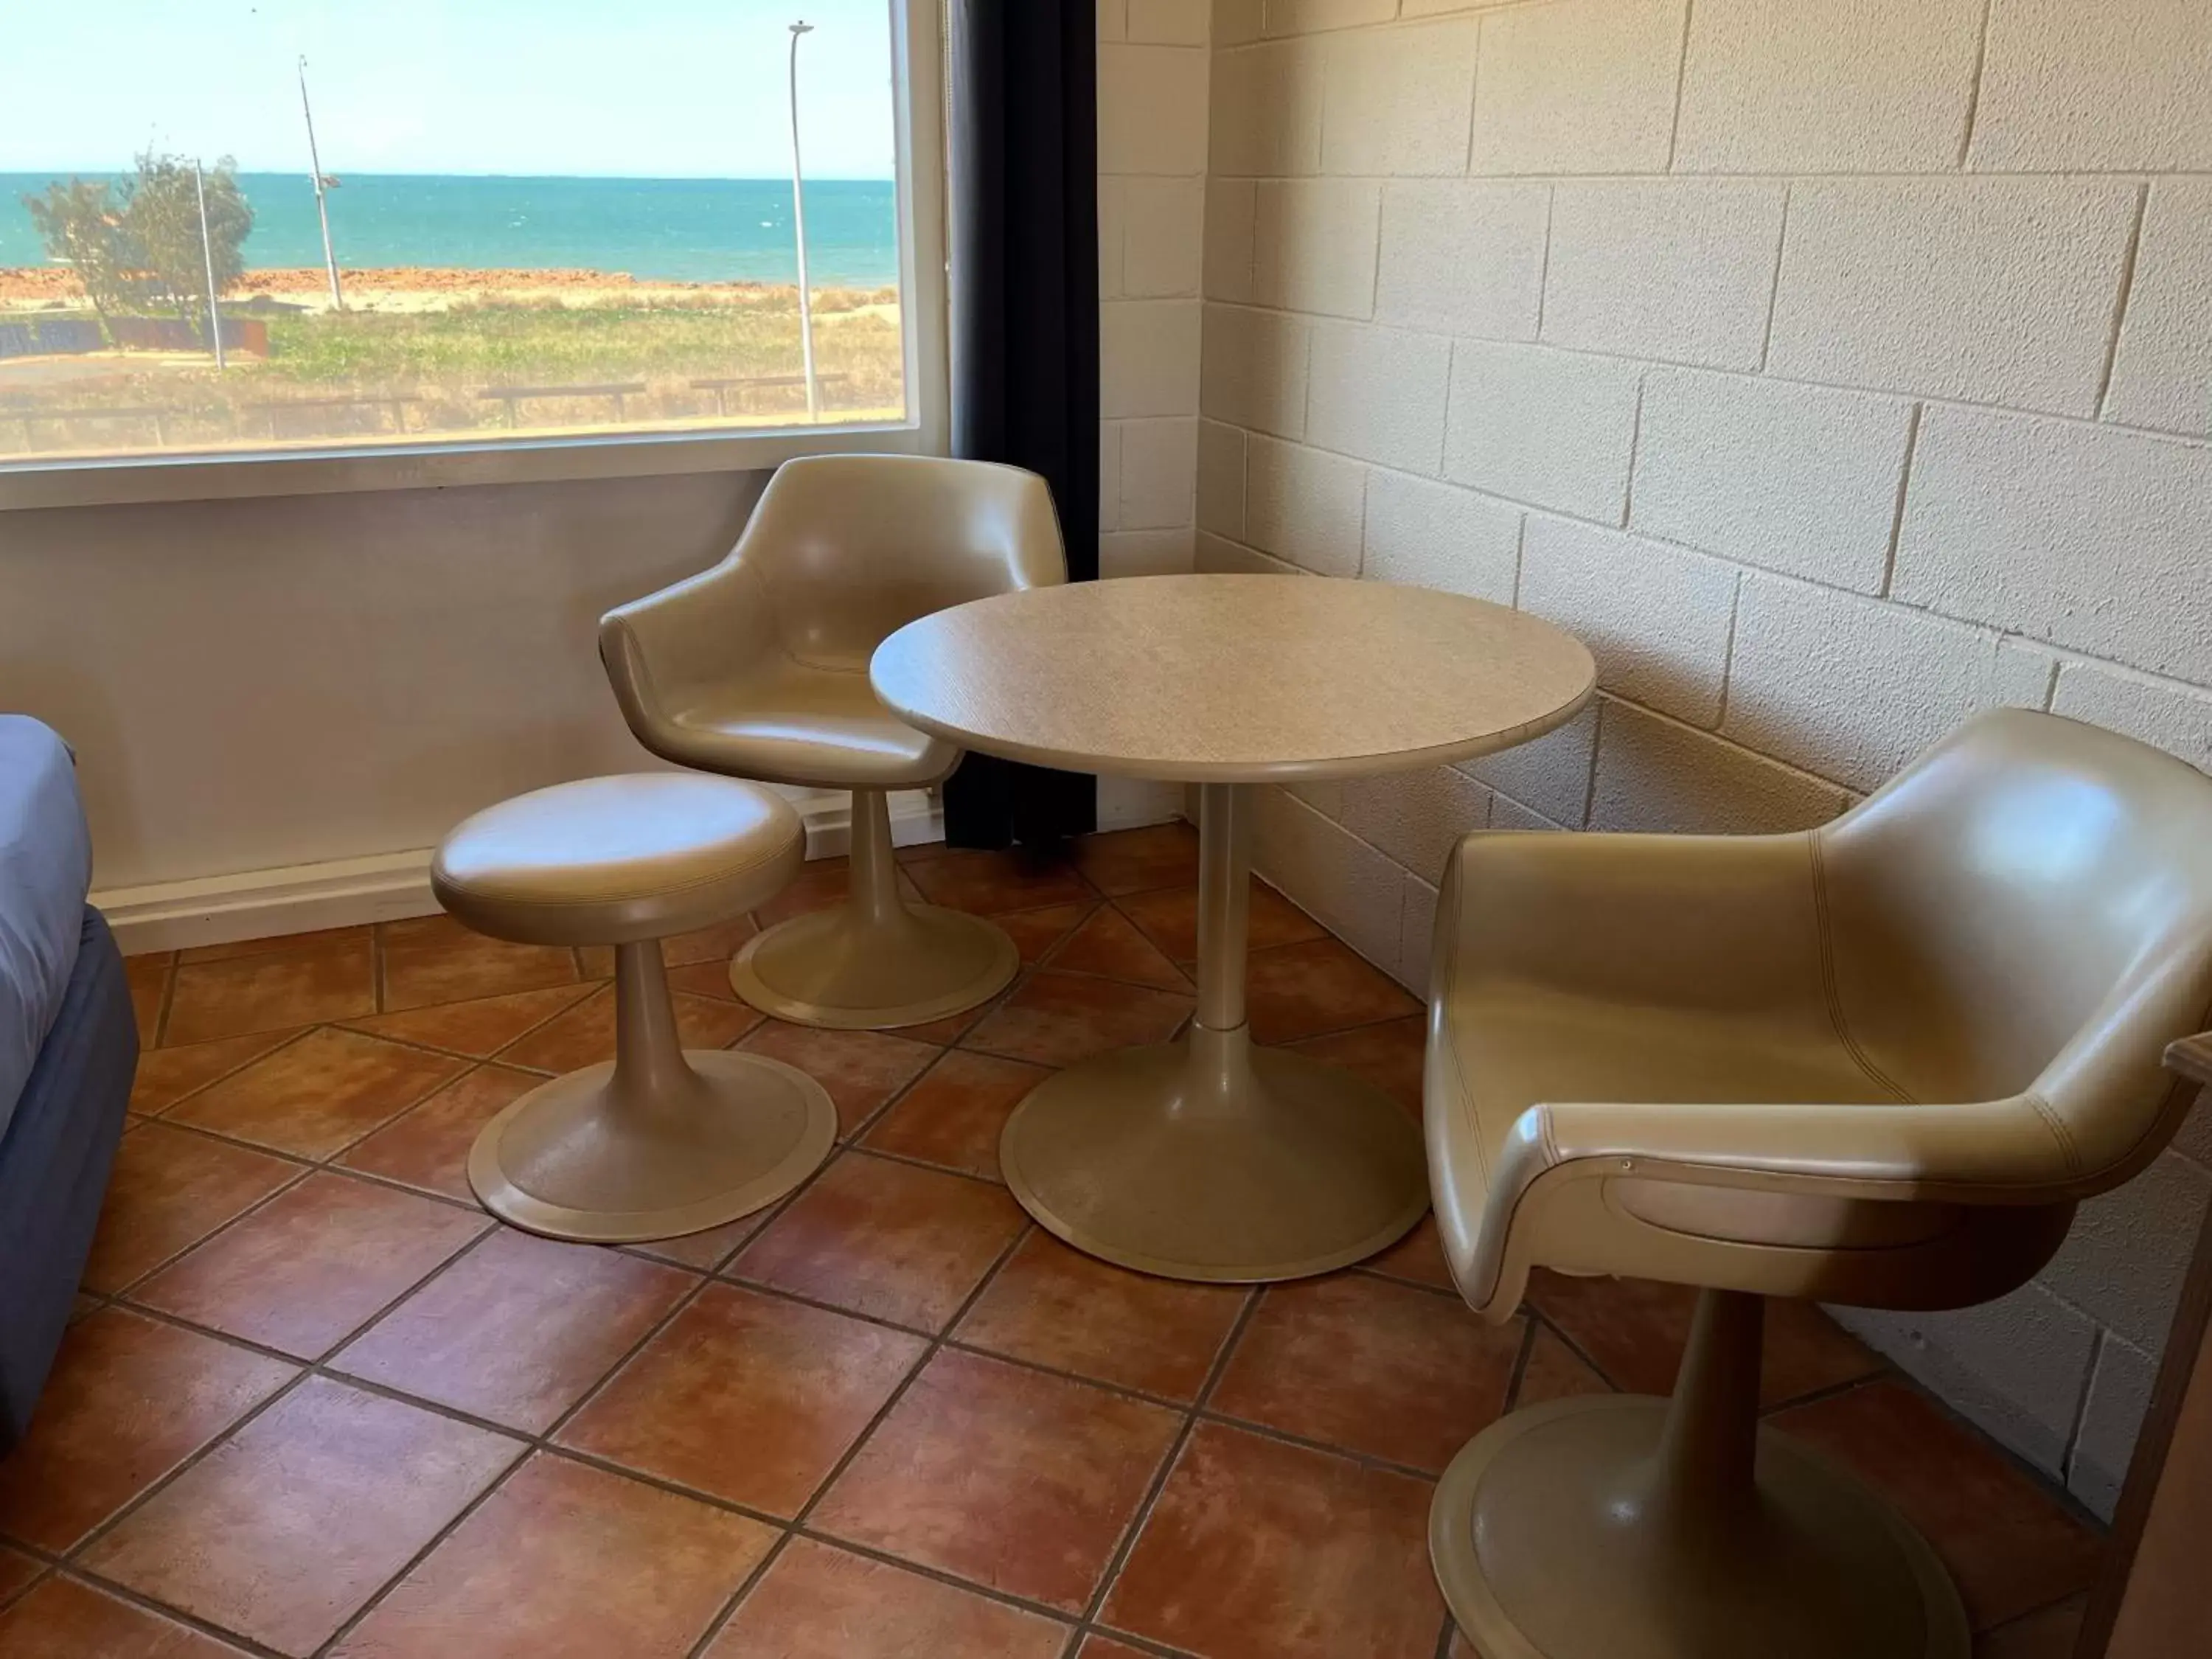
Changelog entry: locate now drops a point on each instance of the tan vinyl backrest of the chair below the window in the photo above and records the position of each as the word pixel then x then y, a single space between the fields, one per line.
pixel 857 547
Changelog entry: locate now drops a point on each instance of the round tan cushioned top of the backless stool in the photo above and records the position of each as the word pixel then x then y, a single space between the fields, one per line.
pixel 607 862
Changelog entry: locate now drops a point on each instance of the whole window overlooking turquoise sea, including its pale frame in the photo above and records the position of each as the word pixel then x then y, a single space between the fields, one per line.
pixel 253 247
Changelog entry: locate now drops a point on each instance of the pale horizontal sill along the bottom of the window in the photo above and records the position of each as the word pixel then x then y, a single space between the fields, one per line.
pixel 432 466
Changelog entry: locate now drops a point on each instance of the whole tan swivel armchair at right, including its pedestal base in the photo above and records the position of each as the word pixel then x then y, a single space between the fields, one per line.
pixel 1870 1065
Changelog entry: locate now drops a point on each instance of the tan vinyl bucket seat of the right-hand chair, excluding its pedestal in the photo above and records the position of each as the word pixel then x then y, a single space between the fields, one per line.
pixel 1877 1063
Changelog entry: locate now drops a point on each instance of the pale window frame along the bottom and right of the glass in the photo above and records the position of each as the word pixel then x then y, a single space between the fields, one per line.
pixel 919 136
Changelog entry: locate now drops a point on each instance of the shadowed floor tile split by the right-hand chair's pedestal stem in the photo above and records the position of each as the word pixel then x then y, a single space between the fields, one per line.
pixel 1638 1328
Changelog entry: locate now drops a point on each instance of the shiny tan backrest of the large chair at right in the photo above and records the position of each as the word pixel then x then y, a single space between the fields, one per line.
pixel 2027 910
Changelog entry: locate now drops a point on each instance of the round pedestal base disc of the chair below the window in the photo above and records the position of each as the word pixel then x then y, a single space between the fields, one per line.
pixel 855 972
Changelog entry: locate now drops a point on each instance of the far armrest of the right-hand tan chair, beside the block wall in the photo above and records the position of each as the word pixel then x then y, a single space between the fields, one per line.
pixel 1680 921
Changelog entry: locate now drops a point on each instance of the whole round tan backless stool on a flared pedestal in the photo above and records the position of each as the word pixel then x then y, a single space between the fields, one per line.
pixel 665 1140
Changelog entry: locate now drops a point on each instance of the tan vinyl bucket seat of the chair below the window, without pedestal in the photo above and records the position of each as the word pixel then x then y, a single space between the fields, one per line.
pixel 760 667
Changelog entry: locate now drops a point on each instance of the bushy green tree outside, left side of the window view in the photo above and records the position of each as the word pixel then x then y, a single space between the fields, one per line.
pixel 140 247
